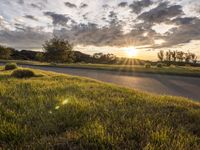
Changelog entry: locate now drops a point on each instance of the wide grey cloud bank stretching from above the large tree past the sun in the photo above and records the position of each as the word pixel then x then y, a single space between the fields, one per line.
pixel 112 35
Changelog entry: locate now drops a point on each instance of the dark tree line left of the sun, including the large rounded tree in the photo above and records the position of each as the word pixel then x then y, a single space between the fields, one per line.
pixel 58 50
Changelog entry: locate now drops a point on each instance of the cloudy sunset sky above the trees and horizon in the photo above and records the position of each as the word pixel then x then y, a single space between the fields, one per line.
pixel 108 26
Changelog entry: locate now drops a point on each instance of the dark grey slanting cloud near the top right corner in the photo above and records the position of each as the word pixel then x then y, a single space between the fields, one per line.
pixel 161 13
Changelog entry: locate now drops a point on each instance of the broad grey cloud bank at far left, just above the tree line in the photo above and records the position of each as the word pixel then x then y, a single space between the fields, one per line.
pixel 26 37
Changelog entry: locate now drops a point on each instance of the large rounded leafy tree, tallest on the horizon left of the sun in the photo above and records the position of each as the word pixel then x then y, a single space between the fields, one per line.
pixel 58 50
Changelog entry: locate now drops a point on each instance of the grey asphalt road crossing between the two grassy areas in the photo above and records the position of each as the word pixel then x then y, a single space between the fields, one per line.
pixel 160 84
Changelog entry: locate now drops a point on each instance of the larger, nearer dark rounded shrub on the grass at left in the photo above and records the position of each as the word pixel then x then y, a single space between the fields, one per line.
pixel 23 73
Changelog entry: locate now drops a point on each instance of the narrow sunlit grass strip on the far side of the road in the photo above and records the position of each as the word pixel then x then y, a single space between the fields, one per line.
pixel 184 71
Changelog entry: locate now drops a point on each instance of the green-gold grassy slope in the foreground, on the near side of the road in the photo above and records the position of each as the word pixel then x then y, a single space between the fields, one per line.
pixel 58 111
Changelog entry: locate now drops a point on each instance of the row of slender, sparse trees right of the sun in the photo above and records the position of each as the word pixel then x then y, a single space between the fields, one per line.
pixel 177 56
